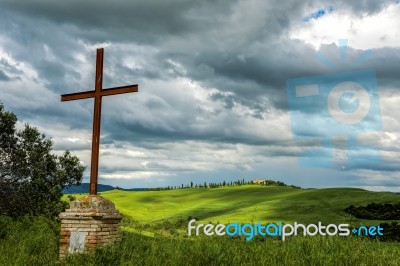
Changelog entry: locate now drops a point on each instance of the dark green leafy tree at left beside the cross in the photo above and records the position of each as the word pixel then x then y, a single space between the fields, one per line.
pixel 31 177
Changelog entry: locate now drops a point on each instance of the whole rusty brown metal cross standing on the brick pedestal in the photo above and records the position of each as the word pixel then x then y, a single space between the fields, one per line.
pixel 97 94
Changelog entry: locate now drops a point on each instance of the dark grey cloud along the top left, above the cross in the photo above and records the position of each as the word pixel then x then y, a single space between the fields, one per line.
pixel 142 21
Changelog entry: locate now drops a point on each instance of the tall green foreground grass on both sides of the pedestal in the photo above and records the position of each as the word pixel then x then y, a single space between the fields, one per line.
pixel 34 242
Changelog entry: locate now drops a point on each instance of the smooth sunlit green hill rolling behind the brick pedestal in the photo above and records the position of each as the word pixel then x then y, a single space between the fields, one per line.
pixel 248 203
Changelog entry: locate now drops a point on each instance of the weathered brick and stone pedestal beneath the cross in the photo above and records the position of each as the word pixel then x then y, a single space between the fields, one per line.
pixel 89 222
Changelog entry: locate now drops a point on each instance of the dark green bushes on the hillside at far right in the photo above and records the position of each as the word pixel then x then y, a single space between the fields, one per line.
pixel 376 211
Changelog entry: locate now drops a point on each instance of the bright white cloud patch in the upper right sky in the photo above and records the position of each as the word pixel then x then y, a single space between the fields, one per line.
pixel 366 32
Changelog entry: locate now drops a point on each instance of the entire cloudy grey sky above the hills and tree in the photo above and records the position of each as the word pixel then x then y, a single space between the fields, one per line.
pixel 214 100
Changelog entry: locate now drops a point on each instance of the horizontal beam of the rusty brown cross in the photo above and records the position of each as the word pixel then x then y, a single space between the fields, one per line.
pixel 103 92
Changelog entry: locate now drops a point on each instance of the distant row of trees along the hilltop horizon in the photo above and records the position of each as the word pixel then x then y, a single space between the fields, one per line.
pixel 239 182
